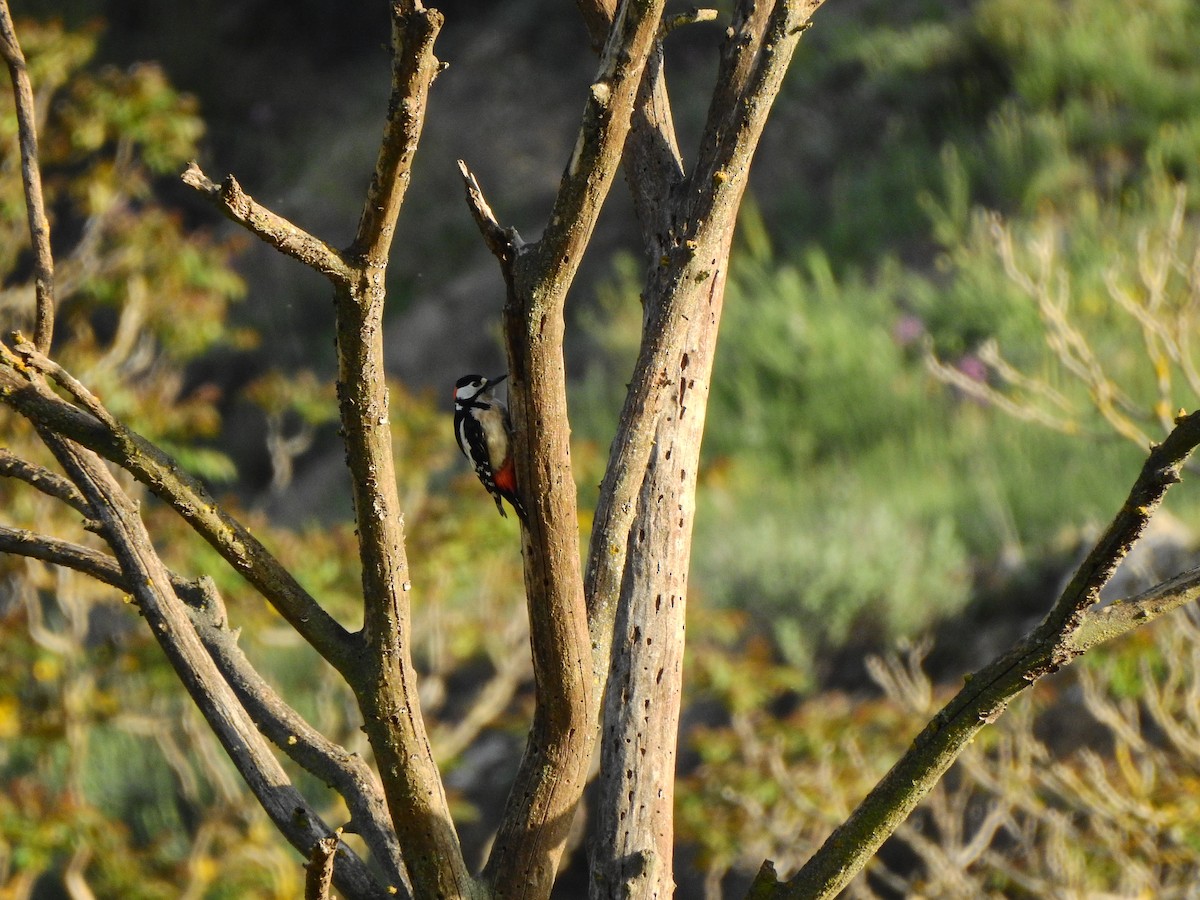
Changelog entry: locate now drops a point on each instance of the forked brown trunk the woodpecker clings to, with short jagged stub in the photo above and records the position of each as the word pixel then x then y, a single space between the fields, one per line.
pixel 550 781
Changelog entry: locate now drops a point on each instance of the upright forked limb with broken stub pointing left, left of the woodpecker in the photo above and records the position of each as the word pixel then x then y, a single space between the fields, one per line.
pixel 383 677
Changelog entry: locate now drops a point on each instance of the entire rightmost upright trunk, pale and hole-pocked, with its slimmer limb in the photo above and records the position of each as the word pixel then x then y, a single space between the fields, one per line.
pixel 637 586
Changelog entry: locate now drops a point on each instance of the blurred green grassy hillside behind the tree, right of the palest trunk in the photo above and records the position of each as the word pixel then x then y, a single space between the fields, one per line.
pixel 848 494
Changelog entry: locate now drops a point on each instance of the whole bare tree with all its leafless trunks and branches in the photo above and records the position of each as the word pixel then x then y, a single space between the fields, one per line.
pixel 608 638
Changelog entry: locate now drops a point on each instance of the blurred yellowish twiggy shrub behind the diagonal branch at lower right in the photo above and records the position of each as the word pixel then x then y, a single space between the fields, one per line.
pixel 1081 790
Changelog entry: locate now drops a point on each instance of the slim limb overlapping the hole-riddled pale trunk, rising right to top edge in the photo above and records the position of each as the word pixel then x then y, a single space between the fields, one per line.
pixel 755 59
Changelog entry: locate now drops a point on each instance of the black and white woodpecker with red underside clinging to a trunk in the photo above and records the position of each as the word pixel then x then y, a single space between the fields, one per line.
pixel 485 437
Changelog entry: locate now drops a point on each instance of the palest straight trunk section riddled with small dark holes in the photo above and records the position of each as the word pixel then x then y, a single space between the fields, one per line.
pixel 643 701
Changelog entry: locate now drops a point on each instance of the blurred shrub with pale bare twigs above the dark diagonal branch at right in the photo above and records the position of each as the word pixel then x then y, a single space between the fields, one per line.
pixel 1117 297
